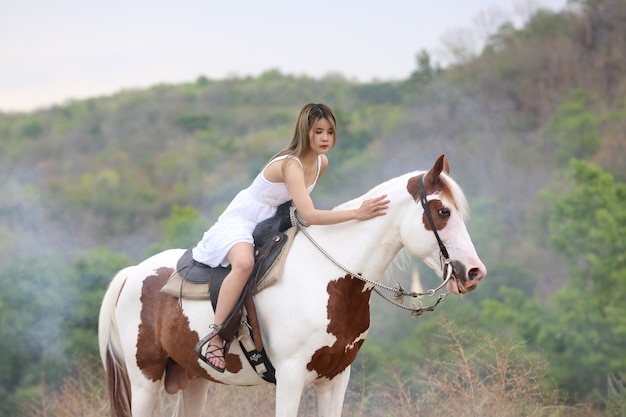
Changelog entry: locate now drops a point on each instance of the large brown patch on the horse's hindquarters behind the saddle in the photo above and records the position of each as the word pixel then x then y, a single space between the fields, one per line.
pixel 164 332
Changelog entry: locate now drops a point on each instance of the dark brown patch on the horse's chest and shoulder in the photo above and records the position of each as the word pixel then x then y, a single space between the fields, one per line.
pixel 349 314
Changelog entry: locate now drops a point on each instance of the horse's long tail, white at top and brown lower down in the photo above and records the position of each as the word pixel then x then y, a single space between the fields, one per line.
pixel 111 351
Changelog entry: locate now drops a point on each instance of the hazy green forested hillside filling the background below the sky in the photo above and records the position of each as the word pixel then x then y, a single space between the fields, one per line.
pixel 534 126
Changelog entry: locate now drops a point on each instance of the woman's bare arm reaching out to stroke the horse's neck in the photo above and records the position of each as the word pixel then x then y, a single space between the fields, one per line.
pixel 293 176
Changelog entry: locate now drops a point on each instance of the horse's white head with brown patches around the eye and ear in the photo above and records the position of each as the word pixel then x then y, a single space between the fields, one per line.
pixel 440 234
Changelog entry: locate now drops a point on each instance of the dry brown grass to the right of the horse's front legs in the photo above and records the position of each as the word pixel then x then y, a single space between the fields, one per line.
pixel 489 380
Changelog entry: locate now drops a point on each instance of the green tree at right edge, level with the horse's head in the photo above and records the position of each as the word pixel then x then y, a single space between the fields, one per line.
pixel 588 227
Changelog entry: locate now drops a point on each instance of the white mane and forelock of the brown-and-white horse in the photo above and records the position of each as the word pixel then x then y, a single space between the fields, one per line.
pixel 452 191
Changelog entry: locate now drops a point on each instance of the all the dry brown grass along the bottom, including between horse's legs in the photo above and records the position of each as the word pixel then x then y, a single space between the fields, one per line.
pixel 486 380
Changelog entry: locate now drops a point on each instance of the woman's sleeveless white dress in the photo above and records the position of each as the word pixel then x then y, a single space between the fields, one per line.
pixel 249 207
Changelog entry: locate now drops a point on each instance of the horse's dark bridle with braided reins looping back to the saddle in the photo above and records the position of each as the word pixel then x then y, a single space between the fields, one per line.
pixel 416 309
